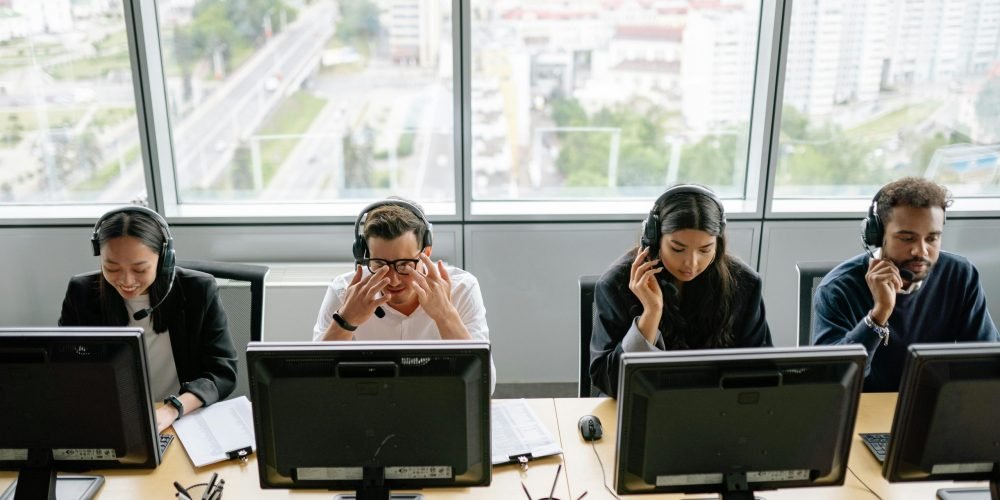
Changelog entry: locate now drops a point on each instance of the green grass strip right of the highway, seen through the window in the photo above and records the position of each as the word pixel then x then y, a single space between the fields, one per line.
pixel 293 116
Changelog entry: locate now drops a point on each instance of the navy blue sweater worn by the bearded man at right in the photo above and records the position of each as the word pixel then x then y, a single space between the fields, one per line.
pixel 950 306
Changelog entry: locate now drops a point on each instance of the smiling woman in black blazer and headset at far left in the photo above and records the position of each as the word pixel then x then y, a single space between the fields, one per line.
pixel 190 355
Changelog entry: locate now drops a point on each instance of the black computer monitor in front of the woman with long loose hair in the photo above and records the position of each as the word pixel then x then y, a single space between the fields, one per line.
pixel 735 421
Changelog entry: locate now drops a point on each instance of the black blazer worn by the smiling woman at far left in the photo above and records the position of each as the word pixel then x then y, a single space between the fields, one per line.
pixel 196 323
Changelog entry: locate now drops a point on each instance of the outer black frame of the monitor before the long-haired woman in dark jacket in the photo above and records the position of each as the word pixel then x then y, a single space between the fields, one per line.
pixel 633 363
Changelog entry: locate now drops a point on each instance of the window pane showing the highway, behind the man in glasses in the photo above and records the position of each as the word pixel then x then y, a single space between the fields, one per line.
pixel 288 101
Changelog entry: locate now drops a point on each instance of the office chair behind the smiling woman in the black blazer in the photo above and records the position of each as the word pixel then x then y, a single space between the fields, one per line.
pixel 241 289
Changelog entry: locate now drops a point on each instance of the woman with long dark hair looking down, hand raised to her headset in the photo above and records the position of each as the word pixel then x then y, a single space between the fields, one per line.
pixel 677 289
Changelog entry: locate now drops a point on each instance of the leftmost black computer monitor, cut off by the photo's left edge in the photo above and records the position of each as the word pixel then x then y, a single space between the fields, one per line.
pixel 73 399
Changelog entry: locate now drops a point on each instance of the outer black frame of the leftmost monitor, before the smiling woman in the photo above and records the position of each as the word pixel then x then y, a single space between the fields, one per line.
pixel 132 337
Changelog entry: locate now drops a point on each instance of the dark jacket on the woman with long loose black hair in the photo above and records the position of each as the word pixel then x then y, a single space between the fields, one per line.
pixel 617 307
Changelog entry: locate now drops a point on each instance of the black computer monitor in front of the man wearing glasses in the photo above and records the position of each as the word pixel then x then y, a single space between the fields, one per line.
pixel 371 416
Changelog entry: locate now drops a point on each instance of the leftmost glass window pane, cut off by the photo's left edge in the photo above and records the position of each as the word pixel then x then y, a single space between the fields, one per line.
pixel 68 129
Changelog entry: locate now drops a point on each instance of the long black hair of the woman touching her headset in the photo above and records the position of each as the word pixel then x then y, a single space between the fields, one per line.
pixel 703 318
